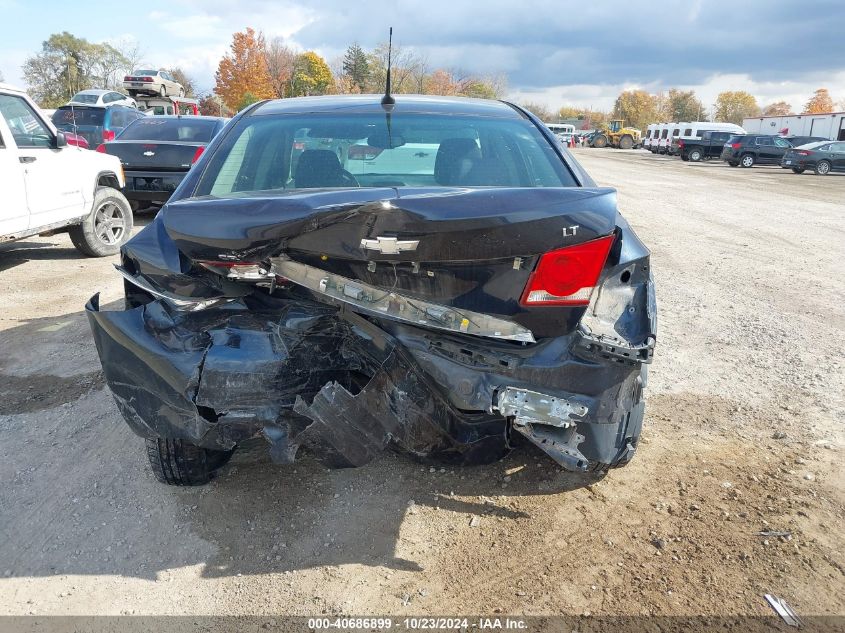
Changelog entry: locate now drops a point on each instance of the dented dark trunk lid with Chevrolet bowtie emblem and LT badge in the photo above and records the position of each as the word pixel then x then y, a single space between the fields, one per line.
pixel 468 249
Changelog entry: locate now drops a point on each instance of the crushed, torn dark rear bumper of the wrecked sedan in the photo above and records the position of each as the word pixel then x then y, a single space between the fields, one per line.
pixel 307 374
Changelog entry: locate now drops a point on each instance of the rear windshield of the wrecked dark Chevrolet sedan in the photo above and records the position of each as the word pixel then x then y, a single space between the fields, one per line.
pixel 369 150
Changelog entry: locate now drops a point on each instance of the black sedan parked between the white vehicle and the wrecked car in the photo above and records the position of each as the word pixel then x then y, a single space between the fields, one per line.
pixel 157 152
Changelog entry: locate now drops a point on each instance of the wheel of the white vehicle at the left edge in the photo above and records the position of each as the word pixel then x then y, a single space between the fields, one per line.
pixel 106 228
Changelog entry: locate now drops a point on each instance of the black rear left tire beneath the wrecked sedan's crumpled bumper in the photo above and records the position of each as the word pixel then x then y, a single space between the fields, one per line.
pixel 179 463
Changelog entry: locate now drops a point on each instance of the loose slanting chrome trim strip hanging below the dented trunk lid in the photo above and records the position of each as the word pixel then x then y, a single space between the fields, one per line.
pixel 385 303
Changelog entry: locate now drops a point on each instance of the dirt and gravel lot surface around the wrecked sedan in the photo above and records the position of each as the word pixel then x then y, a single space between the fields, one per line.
pixel 744 435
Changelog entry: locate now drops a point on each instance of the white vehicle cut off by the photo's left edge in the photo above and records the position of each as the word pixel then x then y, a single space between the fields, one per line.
pixel 50 186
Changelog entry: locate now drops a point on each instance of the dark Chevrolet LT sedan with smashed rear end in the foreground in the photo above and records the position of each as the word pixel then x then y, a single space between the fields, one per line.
pixel 338 275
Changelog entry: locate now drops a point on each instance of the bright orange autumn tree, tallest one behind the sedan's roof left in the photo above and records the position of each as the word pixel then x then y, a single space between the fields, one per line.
pixel 244 70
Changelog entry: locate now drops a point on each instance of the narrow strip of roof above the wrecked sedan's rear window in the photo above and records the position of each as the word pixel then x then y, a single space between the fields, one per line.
pixel 368 104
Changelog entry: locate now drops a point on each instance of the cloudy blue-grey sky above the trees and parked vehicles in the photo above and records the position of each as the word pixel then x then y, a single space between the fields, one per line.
pixel 552 52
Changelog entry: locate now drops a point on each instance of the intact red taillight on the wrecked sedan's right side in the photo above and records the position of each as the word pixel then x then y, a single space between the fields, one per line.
pixel 568 275
